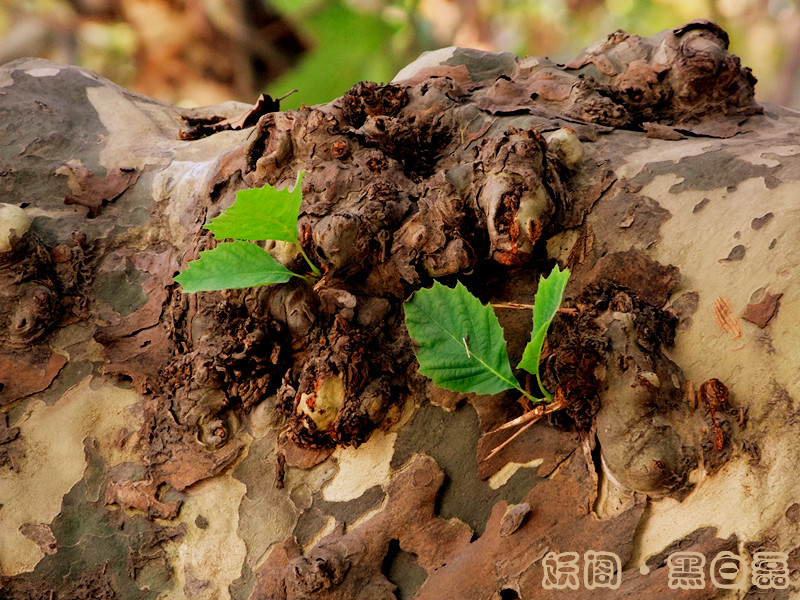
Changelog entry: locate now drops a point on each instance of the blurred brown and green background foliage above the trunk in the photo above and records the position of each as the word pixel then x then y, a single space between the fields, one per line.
pixel 197 52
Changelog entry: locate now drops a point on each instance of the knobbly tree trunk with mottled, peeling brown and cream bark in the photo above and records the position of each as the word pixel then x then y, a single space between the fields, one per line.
pixel 277 442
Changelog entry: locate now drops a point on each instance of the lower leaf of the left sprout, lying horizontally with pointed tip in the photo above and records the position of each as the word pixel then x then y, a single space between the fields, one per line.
pixel 232 265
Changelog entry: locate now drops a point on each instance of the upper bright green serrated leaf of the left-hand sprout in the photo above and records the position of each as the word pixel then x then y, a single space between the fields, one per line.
pixel 261 214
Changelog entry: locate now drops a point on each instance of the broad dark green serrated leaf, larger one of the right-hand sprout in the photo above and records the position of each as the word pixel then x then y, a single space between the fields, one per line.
pixel 461 342
